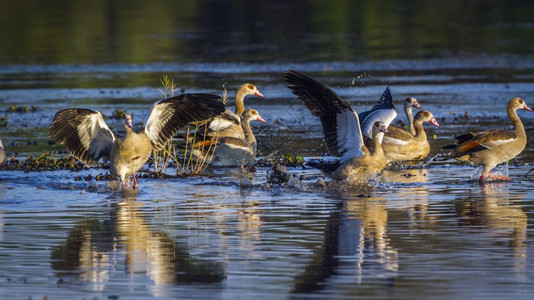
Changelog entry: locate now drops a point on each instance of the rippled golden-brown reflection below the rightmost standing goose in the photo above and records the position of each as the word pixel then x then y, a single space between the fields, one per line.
pixel 501 213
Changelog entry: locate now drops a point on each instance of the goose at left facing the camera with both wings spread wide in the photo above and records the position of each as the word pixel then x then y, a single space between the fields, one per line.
pixel 87 136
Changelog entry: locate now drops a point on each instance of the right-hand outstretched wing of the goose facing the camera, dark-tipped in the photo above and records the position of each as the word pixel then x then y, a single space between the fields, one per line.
pixel 169 115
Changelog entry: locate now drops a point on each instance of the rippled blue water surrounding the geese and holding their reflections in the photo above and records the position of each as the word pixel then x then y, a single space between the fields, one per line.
pixel 425 232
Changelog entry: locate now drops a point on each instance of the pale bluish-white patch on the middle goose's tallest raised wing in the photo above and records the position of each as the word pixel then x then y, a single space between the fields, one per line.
pixel 349 135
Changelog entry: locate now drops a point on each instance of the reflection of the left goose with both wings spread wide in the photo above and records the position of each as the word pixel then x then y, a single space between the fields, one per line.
pixel 94 247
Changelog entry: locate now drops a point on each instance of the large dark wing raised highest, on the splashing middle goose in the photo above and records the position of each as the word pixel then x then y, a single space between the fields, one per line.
pixel 341 127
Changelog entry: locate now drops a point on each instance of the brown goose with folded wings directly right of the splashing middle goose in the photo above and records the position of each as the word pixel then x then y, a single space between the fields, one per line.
pixel 401 145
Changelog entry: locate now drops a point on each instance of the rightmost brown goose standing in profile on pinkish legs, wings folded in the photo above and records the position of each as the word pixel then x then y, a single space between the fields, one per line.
pixel 492 147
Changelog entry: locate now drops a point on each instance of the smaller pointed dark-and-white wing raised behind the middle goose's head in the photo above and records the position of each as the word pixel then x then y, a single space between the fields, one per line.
pixel 383 110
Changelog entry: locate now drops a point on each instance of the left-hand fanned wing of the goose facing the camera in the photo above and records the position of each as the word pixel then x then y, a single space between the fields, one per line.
pixel 83 132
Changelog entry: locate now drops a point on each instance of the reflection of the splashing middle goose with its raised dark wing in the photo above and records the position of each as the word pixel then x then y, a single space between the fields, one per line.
pixel 355 242
